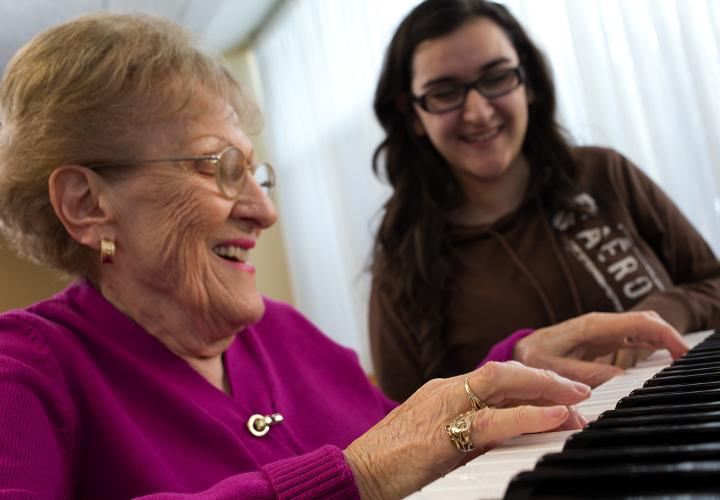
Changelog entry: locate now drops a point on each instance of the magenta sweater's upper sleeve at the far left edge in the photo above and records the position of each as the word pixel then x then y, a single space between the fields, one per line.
pixel 37 420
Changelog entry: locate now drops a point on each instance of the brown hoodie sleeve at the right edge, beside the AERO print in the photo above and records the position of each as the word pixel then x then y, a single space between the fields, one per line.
pixel 693 302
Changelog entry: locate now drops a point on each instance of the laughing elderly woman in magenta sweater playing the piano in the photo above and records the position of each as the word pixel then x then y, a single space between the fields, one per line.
pixel 162 371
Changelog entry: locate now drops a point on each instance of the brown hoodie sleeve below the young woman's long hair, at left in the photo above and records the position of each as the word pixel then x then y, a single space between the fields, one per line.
pixel 395 353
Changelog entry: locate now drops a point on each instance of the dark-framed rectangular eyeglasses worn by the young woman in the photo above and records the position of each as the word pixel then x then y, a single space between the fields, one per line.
pixel 453 95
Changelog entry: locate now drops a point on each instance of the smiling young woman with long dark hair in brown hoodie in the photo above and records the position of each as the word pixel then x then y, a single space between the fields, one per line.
pixel 496 222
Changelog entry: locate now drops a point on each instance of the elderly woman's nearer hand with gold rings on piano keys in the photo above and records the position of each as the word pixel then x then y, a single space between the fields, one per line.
pixel 410 447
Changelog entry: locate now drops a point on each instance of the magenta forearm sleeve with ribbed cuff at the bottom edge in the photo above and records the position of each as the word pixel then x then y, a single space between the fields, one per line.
pixel 323 473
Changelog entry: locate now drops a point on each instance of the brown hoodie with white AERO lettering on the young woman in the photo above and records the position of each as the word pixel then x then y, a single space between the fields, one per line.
pixel 533 268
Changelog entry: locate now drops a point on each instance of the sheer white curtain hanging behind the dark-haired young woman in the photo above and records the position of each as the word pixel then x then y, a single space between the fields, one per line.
pixel 641 76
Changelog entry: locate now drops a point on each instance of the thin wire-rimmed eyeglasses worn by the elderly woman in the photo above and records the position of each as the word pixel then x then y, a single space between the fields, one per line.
pixel 231 167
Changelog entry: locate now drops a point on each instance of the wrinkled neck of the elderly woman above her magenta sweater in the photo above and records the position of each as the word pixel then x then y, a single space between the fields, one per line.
pixel 196 342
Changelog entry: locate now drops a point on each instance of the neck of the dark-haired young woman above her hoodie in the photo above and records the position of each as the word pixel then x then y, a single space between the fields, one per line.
pixel 488 200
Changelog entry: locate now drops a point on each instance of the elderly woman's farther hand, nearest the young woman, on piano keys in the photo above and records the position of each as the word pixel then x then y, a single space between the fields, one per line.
pixel 571 348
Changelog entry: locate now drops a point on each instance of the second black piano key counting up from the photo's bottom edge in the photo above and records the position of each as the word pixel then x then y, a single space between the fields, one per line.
pixel 656 454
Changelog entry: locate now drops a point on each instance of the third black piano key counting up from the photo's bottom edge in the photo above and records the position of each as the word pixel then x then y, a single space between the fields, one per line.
pixel 642 436
